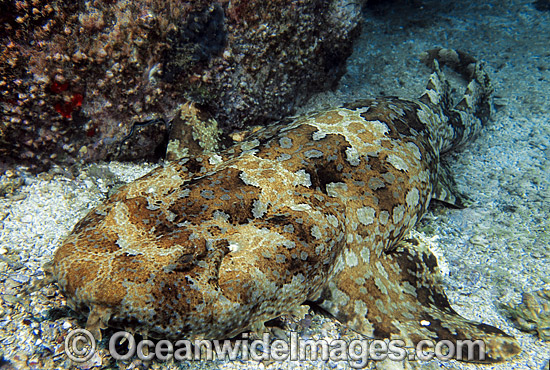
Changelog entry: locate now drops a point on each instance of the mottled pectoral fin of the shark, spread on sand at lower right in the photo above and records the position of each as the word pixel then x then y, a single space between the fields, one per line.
pixel 398 296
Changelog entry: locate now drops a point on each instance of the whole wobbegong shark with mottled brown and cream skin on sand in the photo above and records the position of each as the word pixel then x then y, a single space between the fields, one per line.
pixel 315 208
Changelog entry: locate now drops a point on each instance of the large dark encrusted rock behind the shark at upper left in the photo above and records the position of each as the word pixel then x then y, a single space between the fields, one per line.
pixel 76 78
